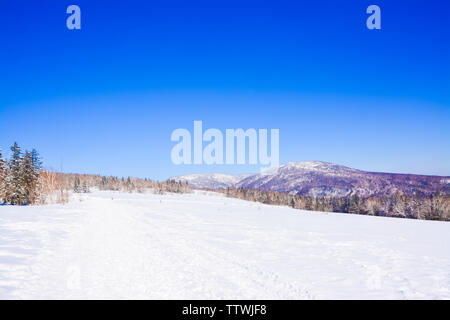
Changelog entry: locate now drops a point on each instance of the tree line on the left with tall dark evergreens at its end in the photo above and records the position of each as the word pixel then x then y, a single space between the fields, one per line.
pixel 23 181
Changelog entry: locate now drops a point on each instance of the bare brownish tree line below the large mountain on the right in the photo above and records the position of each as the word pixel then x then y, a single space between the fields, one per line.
pixel 434 207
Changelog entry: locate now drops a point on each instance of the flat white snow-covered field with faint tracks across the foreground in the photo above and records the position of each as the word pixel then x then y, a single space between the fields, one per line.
pixel 206 246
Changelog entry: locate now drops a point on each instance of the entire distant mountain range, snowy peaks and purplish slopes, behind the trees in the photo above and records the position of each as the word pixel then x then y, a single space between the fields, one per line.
pixel 317 178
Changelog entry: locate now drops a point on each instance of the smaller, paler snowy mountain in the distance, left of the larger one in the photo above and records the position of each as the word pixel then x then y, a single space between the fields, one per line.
pixel 211 181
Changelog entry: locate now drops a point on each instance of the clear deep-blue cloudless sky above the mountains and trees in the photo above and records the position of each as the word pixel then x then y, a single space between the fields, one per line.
pixel 105 99
